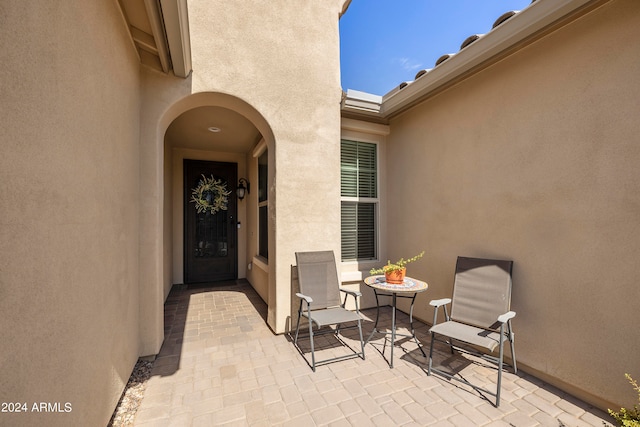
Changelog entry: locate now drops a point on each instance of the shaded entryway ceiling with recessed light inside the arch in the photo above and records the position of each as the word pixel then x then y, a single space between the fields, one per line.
pixel 190 130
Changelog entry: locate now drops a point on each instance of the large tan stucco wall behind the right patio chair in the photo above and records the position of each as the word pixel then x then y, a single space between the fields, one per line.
pixel 536 159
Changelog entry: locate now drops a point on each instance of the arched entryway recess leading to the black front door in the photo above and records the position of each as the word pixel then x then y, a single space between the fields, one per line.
pixel 216 136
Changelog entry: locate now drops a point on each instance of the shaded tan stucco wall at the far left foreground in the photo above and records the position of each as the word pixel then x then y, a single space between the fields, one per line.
pixel 69 103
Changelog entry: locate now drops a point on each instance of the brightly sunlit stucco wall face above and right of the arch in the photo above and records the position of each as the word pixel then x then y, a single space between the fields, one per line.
pixel 282 58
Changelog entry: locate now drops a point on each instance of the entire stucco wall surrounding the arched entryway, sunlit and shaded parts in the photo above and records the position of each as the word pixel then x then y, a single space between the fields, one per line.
pixel 278 66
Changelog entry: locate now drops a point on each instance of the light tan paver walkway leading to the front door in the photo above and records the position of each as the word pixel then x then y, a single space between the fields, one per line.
pixel 221 365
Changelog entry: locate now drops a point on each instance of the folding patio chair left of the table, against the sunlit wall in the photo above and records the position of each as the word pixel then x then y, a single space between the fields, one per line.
pixel 320 290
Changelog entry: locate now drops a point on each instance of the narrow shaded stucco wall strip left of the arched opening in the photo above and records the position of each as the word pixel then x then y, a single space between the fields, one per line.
pixel 159 93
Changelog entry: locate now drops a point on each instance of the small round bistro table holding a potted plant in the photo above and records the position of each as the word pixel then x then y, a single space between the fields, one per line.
pixel 408 289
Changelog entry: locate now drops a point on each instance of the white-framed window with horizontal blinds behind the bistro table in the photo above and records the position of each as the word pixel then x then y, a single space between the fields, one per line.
pixel 359 195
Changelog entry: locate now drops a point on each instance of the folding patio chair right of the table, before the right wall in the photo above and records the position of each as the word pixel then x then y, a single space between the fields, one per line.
pixel 480 314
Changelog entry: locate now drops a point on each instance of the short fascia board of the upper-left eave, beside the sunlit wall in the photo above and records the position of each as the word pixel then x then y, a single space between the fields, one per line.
pixel 176 23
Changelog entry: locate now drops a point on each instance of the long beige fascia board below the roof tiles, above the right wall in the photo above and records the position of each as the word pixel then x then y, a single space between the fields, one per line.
pixel 535 18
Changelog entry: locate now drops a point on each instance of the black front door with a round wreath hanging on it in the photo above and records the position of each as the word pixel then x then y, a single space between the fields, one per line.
pixel 210 232
